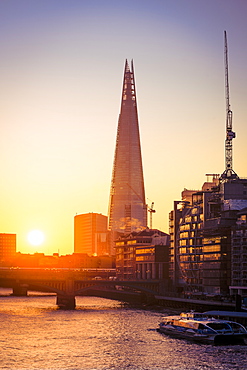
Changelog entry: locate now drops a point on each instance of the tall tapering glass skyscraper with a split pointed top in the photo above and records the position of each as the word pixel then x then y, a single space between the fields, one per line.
pixel 127 208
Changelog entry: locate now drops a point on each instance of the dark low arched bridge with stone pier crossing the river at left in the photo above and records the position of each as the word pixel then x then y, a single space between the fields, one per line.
pixel 68 283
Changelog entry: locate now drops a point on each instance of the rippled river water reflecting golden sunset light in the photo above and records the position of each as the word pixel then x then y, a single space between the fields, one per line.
pixel 99 334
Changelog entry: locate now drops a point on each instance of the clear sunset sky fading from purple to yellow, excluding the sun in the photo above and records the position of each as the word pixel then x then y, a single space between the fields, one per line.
pixel 61 70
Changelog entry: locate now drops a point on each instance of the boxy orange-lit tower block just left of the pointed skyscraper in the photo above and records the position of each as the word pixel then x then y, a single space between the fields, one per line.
pixel 91 234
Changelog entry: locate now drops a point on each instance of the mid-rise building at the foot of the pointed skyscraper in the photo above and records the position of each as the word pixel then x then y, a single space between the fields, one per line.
pixel 143 255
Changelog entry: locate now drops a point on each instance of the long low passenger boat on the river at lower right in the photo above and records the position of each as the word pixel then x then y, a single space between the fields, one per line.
pixel 200 328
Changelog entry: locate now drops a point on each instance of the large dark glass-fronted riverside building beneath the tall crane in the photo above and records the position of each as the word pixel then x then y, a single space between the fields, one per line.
pixel 201 227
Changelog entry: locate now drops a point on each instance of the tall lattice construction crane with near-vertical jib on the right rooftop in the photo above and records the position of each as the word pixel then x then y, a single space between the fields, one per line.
pixel 228 173
